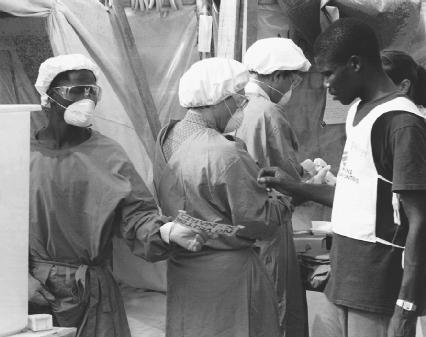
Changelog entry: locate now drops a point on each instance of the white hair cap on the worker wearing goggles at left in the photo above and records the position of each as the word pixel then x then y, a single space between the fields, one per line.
pixel 53 66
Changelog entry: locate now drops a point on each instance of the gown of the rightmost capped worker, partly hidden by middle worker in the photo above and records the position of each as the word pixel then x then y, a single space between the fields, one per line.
pixel 271 141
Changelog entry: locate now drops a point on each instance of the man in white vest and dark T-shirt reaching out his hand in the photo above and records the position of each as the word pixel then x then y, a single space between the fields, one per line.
pixel 376 287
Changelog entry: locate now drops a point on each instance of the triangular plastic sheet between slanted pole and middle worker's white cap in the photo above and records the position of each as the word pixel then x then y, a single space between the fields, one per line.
pixel 167 42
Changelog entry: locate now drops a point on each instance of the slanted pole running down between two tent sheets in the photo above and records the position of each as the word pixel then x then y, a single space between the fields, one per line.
pixel 138 69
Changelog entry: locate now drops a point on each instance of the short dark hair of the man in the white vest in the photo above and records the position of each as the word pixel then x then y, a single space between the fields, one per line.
pixel 345 38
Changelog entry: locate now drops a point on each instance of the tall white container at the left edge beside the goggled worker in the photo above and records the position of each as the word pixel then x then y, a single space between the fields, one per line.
pixel 14 217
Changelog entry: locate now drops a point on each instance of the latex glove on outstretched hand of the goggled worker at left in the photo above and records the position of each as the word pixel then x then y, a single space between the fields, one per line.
pixel 185 237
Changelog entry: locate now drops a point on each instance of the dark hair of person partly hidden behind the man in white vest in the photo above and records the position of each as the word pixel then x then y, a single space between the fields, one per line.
pixel 399 66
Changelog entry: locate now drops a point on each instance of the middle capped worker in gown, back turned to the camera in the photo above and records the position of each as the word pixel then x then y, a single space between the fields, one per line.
pixel 224 289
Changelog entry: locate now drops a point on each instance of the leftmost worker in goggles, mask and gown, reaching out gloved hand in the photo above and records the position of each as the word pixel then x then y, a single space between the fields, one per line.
pixel 83 190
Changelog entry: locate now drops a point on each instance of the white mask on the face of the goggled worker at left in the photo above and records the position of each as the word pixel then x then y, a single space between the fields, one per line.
pixel 79 113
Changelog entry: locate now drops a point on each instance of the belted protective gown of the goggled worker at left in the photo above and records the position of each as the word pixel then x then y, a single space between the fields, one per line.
pixel 80 197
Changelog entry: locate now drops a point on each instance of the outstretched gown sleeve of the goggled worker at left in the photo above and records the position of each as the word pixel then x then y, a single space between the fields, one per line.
pixel 140 219
